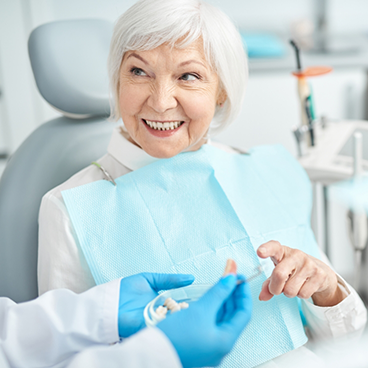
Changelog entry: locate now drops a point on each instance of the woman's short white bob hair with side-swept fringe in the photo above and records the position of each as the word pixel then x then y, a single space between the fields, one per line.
pixel 151 23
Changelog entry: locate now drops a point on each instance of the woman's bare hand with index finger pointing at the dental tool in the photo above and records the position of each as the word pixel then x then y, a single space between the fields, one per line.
pixel 299 274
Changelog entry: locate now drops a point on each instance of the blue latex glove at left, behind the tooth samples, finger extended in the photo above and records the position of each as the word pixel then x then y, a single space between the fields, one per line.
pixel 137 291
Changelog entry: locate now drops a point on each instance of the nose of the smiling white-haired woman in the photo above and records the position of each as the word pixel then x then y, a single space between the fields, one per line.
pixel 162 97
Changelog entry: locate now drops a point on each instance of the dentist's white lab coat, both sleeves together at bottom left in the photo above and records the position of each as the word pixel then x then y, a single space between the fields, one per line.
pixel 54 329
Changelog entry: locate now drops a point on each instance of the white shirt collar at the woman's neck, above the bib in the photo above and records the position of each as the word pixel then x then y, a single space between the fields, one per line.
pixel 127 153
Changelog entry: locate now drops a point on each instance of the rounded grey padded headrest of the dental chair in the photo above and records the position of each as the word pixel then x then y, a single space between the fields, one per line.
pixel 69 63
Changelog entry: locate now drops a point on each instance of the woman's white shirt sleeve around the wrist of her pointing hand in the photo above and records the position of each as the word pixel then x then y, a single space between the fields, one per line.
pixel 346 319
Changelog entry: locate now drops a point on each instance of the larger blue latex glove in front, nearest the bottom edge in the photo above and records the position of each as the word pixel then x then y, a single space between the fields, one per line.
pixel 205 332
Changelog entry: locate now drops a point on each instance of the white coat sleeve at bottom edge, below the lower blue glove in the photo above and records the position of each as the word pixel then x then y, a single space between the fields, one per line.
pixel 149 348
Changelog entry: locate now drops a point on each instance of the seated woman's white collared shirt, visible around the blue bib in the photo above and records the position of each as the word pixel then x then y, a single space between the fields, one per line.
pixel 61 263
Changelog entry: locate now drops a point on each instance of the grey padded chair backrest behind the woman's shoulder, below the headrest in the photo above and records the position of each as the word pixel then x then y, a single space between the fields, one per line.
pixel 49 156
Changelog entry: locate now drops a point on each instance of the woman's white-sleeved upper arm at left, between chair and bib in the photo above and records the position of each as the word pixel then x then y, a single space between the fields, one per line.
pixel 61 263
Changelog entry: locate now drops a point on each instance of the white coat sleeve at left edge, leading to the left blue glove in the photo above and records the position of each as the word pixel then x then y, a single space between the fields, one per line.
pixel 49 330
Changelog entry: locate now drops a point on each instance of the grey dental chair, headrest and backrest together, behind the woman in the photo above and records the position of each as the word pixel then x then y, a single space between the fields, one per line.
pixel 69 64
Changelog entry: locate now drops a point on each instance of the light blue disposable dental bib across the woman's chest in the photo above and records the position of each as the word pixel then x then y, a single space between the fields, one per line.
pixel 190 213
